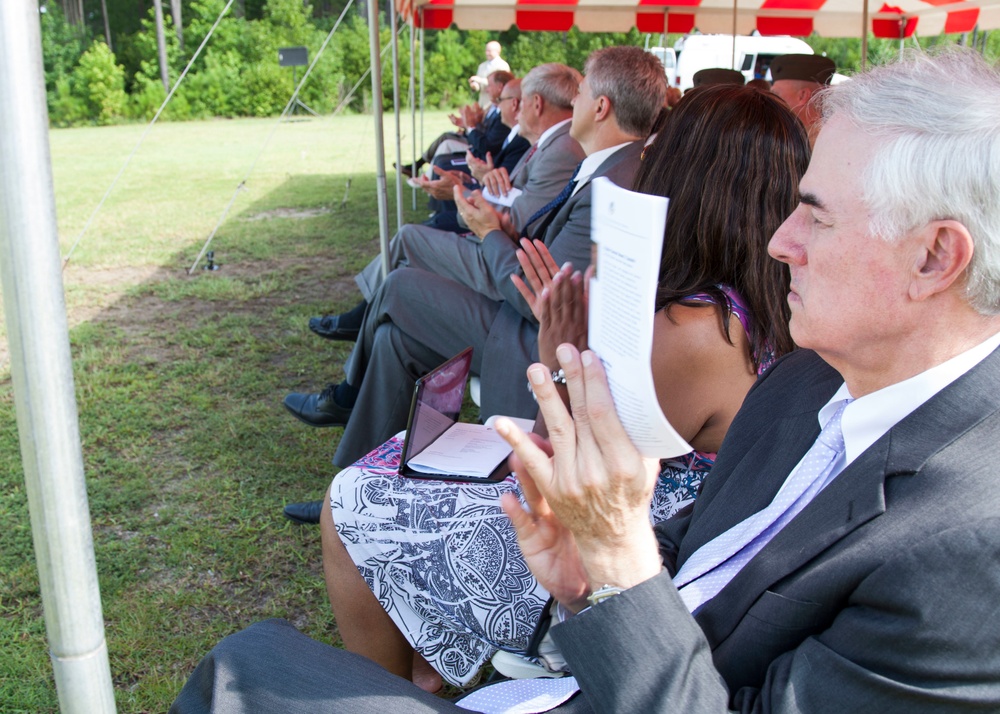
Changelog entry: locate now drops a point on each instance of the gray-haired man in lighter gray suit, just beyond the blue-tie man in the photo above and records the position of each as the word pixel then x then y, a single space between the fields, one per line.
pixel 546 109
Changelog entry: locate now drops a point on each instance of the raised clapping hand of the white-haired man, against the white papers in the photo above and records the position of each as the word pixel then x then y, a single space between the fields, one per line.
pixel 596 484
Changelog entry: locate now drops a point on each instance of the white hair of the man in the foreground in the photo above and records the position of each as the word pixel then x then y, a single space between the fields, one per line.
pixel 937 118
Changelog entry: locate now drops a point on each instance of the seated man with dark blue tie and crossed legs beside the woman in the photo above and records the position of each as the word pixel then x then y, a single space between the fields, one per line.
pixel 416 319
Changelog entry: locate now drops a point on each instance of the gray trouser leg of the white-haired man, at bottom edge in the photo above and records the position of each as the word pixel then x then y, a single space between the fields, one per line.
pixel 271 667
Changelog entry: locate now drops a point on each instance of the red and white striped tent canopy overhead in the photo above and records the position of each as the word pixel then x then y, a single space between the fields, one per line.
pixel 830 18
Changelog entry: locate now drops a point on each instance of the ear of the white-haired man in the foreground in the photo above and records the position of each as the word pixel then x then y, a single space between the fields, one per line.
pixel 944 251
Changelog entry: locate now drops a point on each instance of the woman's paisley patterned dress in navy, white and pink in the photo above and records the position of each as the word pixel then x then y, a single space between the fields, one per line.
pixel 442 557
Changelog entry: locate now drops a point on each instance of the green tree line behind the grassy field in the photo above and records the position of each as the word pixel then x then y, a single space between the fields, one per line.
pixel 111 61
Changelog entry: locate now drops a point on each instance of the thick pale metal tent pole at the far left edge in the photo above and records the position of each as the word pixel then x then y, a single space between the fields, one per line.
pixel 42 374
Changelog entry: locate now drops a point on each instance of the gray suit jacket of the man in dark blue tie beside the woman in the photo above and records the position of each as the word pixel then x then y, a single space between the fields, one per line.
pixel 512 344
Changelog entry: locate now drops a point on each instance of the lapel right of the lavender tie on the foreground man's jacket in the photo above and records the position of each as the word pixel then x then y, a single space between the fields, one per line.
pixel 858 494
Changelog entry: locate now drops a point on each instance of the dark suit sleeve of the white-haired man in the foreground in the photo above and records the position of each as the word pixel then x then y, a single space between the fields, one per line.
pixel 919 635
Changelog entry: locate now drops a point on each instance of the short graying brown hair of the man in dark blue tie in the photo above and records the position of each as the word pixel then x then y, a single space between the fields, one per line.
pixel 633 80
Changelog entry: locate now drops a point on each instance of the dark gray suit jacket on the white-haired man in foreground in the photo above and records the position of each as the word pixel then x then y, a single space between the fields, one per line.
pixel 883 595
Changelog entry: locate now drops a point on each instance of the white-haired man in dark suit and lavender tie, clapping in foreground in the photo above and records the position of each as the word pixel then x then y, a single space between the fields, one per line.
pixel 843 555
